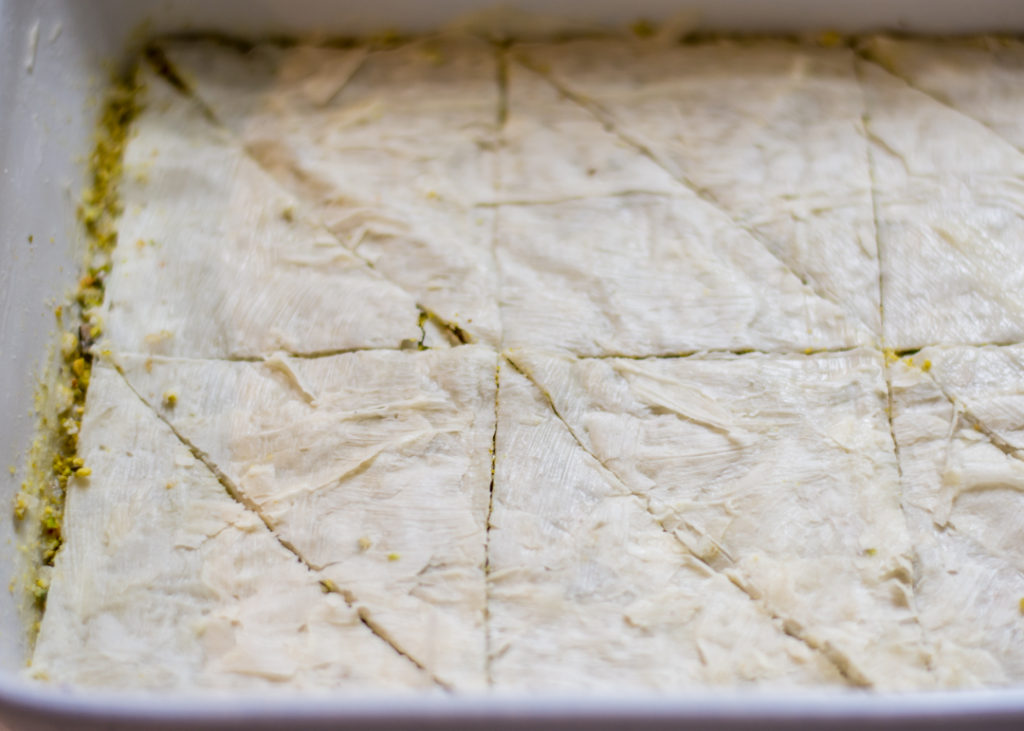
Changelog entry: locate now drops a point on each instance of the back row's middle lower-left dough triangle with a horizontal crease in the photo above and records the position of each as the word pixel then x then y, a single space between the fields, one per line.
pixel 602 251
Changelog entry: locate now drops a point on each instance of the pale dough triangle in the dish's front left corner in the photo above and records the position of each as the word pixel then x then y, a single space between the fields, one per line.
pixel 166 582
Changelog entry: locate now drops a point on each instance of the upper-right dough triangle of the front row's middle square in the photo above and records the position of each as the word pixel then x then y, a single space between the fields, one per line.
pixel 779 470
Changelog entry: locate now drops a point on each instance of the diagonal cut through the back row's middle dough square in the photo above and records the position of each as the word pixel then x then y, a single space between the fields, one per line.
pixel 611 124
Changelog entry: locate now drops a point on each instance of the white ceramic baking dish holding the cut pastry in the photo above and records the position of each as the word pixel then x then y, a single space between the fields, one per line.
pixel 56 58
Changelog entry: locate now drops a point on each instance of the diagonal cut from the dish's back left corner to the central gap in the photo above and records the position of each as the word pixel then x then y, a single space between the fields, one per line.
pixel 162 66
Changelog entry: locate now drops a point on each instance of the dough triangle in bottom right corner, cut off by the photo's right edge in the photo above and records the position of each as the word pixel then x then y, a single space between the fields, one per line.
pixel 965 500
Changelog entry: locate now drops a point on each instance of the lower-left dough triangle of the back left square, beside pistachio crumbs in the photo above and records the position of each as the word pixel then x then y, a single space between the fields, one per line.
pixel 214 261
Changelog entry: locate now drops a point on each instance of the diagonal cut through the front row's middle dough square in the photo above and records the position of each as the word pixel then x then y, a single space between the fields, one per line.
pixel 843 665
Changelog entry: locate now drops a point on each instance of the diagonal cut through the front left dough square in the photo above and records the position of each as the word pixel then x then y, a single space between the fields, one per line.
pixel 240 497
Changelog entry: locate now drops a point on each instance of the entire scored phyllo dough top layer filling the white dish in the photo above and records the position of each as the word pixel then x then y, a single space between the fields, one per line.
pixel 606 365
